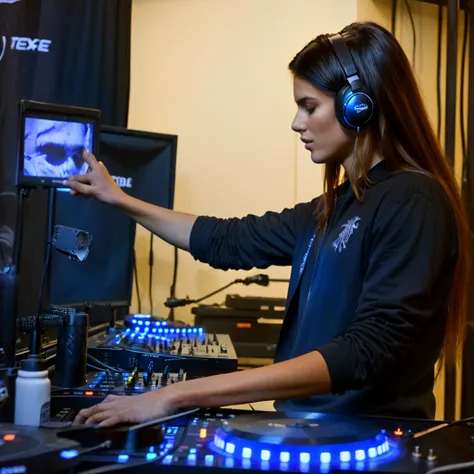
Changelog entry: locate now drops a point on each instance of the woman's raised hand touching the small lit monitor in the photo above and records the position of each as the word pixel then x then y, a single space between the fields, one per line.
pixel 96 183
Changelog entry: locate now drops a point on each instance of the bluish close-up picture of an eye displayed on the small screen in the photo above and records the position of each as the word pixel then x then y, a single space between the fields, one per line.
pixel 54 148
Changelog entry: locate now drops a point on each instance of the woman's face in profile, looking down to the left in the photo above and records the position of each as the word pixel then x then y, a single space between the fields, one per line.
pixel 318 126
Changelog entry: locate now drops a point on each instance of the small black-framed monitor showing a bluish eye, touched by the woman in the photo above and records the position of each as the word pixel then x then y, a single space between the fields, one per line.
pixel 52 139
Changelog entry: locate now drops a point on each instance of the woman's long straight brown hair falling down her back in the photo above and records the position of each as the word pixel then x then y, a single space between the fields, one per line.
pixel 401 133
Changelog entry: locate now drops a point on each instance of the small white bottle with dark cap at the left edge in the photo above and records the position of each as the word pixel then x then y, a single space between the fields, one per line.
pixel 32 393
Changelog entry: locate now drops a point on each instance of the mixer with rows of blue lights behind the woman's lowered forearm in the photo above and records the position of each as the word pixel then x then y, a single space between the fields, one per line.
pixel 147 340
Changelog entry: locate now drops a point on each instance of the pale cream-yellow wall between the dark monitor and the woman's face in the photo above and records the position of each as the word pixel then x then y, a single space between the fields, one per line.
pixel 214 72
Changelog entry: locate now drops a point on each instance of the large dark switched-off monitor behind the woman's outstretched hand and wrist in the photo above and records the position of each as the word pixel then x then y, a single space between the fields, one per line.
pixel 143 164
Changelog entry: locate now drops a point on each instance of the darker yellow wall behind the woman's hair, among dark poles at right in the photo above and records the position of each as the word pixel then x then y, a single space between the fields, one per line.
pixel 425 18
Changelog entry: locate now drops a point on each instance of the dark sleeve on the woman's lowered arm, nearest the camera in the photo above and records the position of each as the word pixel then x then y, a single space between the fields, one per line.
pixel 409 274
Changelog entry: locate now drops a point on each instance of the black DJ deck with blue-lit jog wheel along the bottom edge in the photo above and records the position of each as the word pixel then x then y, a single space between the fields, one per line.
pixel 232 441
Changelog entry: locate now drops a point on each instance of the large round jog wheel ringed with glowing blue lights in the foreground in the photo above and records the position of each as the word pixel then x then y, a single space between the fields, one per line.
pixel 302 440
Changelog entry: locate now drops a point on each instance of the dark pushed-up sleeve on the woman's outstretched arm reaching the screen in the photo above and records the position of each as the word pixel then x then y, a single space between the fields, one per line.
pixel 252 241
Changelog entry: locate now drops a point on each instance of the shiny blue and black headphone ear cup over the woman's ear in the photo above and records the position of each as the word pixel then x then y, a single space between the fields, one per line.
pixel 354 110
